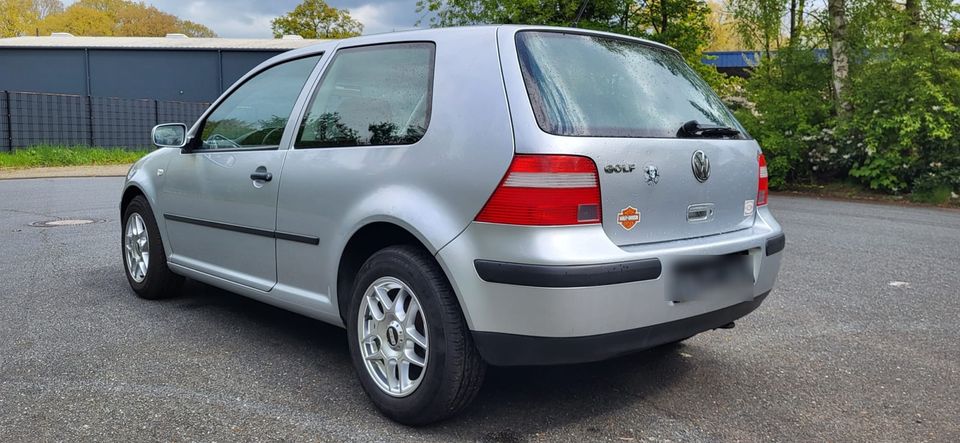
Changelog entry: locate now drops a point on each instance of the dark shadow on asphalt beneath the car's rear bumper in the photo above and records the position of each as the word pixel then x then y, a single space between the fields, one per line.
pixel 517 403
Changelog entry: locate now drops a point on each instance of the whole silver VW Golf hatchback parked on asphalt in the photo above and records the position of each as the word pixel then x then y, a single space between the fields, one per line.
pixel 505 195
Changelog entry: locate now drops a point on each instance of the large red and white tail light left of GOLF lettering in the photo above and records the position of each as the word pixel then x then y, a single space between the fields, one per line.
pixel 546 190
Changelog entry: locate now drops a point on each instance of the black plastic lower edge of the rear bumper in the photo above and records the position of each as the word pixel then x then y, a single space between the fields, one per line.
pixel 523 350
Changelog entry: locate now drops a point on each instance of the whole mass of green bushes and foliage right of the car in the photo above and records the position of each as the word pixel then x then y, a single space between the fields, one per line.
pixel 896 127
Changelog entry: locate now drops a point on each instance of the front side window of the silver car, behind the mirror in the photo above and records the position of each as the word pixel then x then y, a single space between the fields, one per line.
pixel 255 114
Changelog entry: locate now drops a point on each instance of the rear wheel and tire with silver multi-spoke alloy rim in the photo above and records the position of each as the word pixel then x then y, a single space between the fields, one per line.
pixel 453 371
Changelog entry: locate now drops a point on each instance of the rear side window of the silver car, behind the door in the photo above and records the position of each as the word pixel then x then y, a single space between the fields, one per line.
pixel 372 95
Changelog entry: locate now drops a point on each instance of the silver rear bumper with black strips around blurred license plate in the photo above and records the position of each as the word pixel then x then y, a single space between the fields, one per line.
pixel 573 283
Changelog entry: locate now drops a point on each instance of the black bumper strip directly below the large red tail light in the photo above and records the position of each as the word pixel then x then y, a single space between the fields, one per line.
pixel 550 276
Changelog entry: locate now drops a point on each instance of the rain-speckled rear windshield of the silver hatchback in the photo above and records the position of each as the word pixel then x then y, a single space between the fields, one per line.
pixel 583 85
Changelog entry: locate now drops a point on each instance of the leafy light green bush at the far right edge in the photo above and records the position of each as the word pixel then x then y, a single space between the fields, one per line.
pixel 906 111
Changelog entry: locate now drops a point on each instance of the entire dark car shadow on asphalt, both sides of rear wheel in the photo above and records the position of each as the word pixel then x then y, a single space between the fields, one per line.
pixel 514 404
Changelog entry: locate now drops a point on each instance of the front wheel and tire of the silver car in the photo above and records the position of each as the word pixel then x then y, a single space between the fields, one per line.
pixel 150 278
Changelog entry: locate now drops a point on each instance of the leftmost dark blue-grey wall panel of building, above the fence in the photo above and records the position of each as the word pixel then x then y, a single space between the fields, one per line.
pixel 58 71
